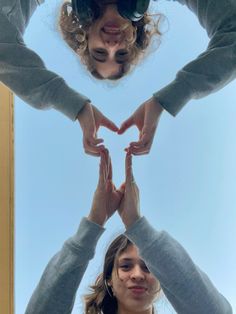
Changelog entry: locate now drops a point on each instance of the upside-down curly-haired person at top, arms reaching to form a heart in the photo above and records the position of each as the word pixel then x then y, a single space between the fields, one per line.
pixel 110 45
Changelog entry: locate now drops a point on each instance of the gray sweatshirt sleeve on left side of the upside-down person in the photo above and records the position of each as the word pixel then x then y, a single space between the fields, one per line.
pixel 23 71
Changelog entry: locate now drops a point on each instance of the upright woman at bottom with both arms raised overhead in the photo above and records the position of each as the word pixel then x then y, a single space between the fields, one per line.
pixel 137 266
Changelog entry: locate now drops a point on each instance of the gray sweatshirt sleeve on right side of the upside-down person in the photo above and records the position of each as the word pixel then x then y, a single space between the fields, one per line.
pixel 212 69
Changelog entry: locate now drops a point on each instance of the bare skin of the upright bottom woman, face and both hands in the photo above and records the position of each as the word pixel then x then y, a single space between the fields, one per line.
pixel 130 270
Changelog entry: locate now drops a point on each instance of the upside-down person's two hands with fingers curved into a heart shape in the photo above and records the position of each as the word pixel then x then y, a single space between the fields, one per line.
pixel 146 118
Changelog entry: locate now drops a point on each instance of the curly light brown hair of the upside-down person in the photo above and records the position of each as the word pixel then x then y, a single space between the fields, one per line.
pixel 76 36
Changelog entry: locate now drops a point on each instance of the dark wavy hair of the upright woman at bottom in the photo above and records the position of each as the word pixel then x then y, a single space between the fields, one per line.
pixel 101 299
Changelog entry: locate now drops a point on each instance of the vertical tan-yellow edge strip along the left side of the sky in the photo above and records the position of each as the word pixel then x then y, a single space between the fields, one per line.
pixel 6 201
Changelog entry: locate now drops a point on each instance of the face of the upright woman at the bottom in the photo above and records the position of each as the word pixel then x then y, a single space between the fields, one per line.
pixel 134 287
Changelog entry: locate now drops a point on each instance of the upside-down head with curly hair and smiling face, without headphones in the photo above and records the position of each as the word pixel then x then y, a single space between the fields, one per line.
pixel 106 42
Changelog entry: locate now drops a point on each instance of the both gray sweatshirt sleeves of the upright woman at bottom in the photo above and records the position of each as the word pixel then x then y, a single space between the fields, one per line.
pixel 188 289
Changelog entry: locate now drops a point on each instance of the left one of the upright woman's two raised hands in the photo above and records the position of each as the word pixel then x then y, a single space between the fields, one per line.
pixel 106 198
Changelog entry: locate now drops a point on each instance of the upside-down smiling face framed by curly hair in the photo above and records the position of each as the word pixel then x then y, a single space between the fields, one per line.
pixel 107 41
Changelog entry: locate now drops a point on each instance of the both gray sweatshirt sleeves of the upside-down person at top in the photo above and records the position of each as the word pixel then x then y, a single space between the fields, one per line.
pixel 24 72
